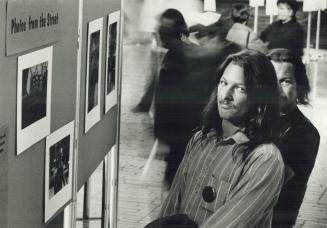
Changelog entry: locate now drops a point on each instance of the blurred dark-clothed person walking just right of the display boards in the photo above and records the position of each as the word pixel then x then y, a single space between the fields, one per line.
pixel 171 128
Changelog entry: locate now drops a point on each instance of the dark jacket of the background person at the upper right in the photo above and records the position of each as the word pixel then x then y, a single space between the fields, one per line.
pixel 290 35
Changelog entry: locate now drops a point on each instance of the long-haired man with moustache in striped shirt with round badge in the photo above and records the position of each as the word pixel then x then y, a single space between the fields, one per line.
pixel 232 172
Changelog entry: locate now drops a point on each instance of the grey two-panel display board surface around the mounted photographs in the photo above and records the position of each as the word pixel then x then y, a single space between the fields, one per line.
pixel 22 177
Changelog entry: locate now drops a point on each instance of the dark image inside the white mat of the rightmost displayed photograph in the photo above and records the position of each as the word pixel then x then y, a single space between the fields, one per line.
pixel 111 74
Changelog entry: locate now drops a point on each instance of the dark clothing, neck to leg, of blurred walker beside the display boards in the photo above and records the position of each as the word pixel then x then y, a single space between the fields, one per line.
pixel 171 124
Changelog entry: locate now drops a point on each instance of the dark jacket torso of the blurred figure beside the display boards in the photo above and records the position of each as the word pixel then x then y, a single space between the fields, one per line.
pixel 169 121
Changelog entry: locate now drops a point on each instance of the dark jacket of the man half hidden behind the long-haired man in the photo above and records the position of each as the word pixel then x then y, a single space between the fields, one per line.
pixel 299 146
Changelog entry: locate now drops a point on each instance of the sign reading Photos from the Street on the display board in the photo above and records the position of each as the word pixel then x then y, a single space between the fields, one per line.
pixel 31 24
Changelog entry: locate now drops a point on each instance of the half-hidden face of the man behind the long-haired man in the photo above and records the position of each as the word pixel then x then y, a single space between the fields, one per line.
pixel 287 85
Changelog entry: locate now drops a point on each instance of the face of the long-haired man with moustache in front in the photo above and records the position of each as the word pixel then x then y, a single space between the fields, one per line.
pixel 232 97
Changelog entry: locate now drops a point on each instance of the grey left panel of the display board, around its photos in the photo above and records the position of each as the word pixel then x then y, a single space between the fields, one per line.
pixel 24 184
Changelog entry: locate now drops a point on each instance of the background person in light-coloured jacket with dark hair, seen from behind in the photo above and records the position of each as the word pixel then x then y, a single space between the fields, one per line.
pixel 241 34
